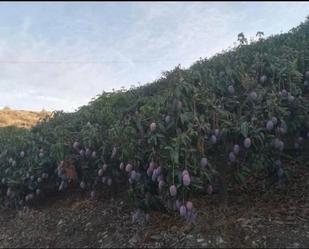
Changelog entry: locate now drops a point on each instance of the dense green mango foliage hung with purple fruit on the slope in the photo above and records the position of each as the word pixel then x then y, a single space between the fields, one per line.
pixel 222 120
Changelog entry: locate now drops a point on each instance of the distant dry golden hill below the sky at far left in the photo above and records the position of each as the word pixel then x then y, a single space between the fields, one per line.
pixel 20 118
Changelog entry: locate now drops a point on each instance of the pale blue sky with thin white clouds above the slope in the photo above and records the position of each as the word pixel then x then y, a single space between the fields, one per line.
pixel 59 55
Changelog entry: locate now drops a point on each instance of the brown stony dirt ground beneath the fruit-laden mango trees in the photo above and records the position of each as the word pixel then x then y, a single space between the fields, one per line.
pixel 257 219
